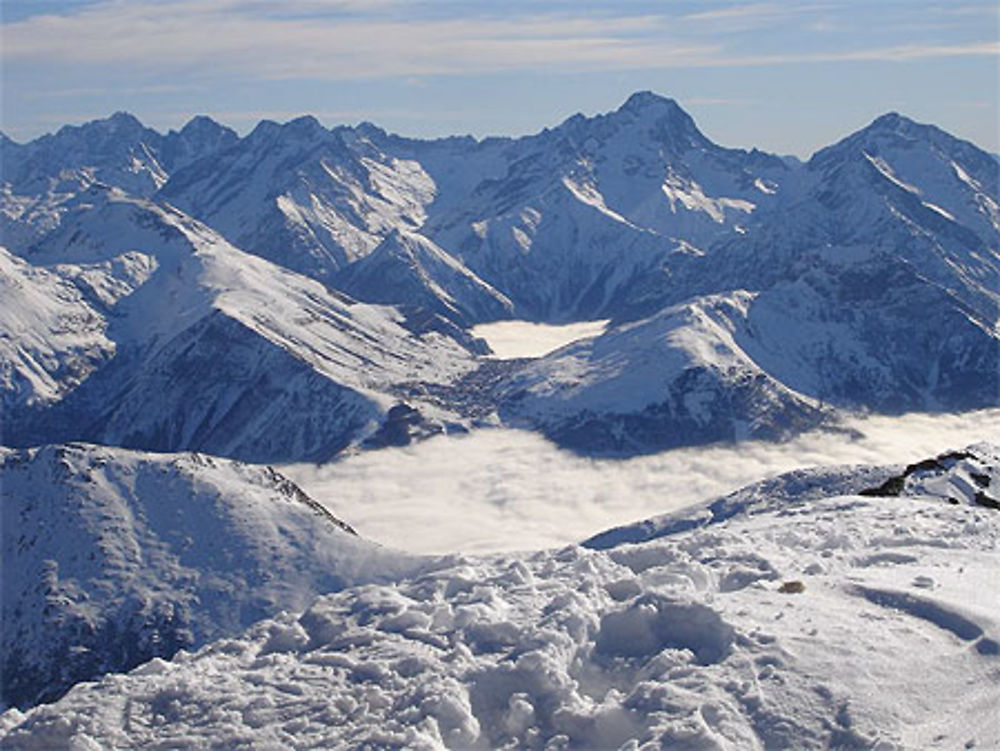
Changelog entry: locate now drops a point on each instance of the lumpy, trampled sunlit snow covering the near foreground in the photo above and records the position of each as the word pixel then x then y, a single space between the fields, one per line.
pixel 849 622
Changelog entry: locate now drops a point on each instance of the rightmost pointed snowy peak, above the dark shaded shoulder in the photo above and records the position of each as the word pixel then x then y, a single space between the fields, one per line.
pixel 895 191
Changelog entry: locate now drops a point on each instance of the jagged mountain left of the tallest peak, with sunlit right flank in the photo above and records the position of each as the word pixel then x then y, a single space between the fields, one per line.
pixel 305 197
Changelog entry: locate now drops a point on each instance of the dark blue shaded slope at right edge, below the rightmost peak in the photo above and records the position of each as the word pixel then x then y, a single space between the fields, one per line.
pixel 873 335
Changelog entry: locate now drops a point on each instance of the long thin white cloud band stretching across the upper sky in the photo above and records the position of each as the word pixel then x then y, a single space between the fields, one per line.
pixel 350 40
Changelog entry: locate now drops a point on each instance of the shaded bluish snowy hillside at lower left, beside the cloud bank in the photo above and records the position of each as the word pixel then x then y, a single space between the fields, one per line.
pixel 112 557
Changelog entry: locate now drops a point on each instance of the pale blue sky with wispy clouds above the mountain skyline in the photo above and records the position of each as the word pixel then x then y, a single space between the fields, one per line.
pixel 785 76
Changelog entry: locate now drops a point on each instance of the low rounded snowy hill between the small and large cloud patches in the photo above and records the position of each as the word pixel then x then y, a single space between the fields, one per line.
pixel 674 379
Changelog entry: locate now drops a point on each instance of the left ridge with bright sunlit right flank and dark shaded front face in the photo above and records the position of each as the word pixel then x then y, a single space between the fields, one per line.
pixel 224 352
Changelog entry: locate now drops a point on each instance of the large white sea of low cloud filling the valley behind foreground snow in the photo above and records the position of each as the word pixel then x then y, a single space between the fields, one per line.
pixel 505 490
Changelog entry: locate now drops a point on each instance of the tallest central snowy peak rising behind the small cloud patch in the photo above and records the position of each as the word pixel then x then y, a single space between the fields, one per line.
pixel 587 209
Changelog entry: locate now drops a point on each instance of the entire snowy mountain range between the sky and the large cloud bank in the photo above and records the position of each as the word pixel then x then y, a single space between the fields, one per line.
pixel 299 291
